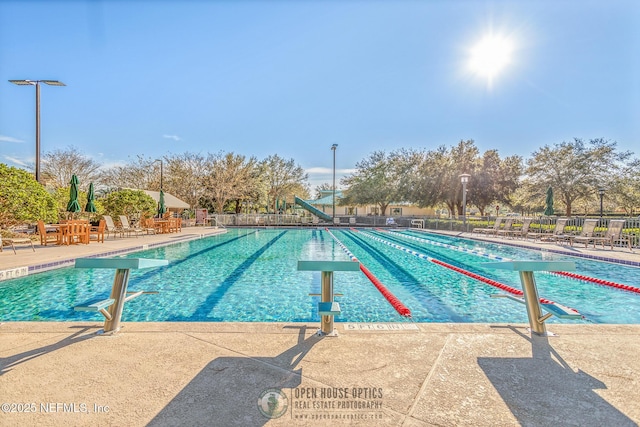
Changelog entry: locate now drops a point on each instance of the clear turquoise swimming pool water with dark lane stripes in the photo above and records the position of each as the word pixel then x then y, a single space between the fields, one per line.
pixel 250 275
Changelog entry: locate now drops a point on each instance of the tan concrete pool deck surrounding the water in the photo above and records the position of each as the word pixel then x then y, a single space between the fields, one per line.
pixel 215 374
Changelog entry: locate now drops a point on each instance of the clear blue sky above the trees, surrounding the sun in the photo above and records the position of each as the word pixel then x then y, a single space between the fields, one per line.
pixel 293 77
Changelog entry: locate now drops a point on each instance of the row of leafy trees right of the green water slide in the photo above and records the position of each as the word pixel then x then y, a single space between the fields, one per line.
pixel 575 170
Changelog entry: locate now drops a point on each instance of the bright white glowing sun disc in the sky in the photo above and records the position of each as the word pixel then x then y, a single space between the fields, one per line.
pixel 490 56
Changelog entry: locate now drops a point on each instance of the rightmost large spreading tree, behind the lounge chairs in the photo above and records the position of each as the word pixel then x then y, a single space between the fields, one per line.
pixel 574 170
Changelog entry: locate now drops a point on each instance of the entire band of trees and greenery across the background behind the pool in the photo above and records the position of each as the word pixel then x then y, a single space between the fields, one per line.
pixel 229 182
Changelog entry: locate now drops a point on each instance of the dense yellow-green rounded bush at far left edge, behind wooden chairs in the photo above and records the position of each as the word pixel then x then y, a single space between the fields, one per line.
pixel 22 199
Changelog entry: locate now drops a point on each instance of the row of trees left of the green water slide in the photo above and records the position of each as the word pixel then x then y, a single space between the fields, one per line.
pixel 220 182
